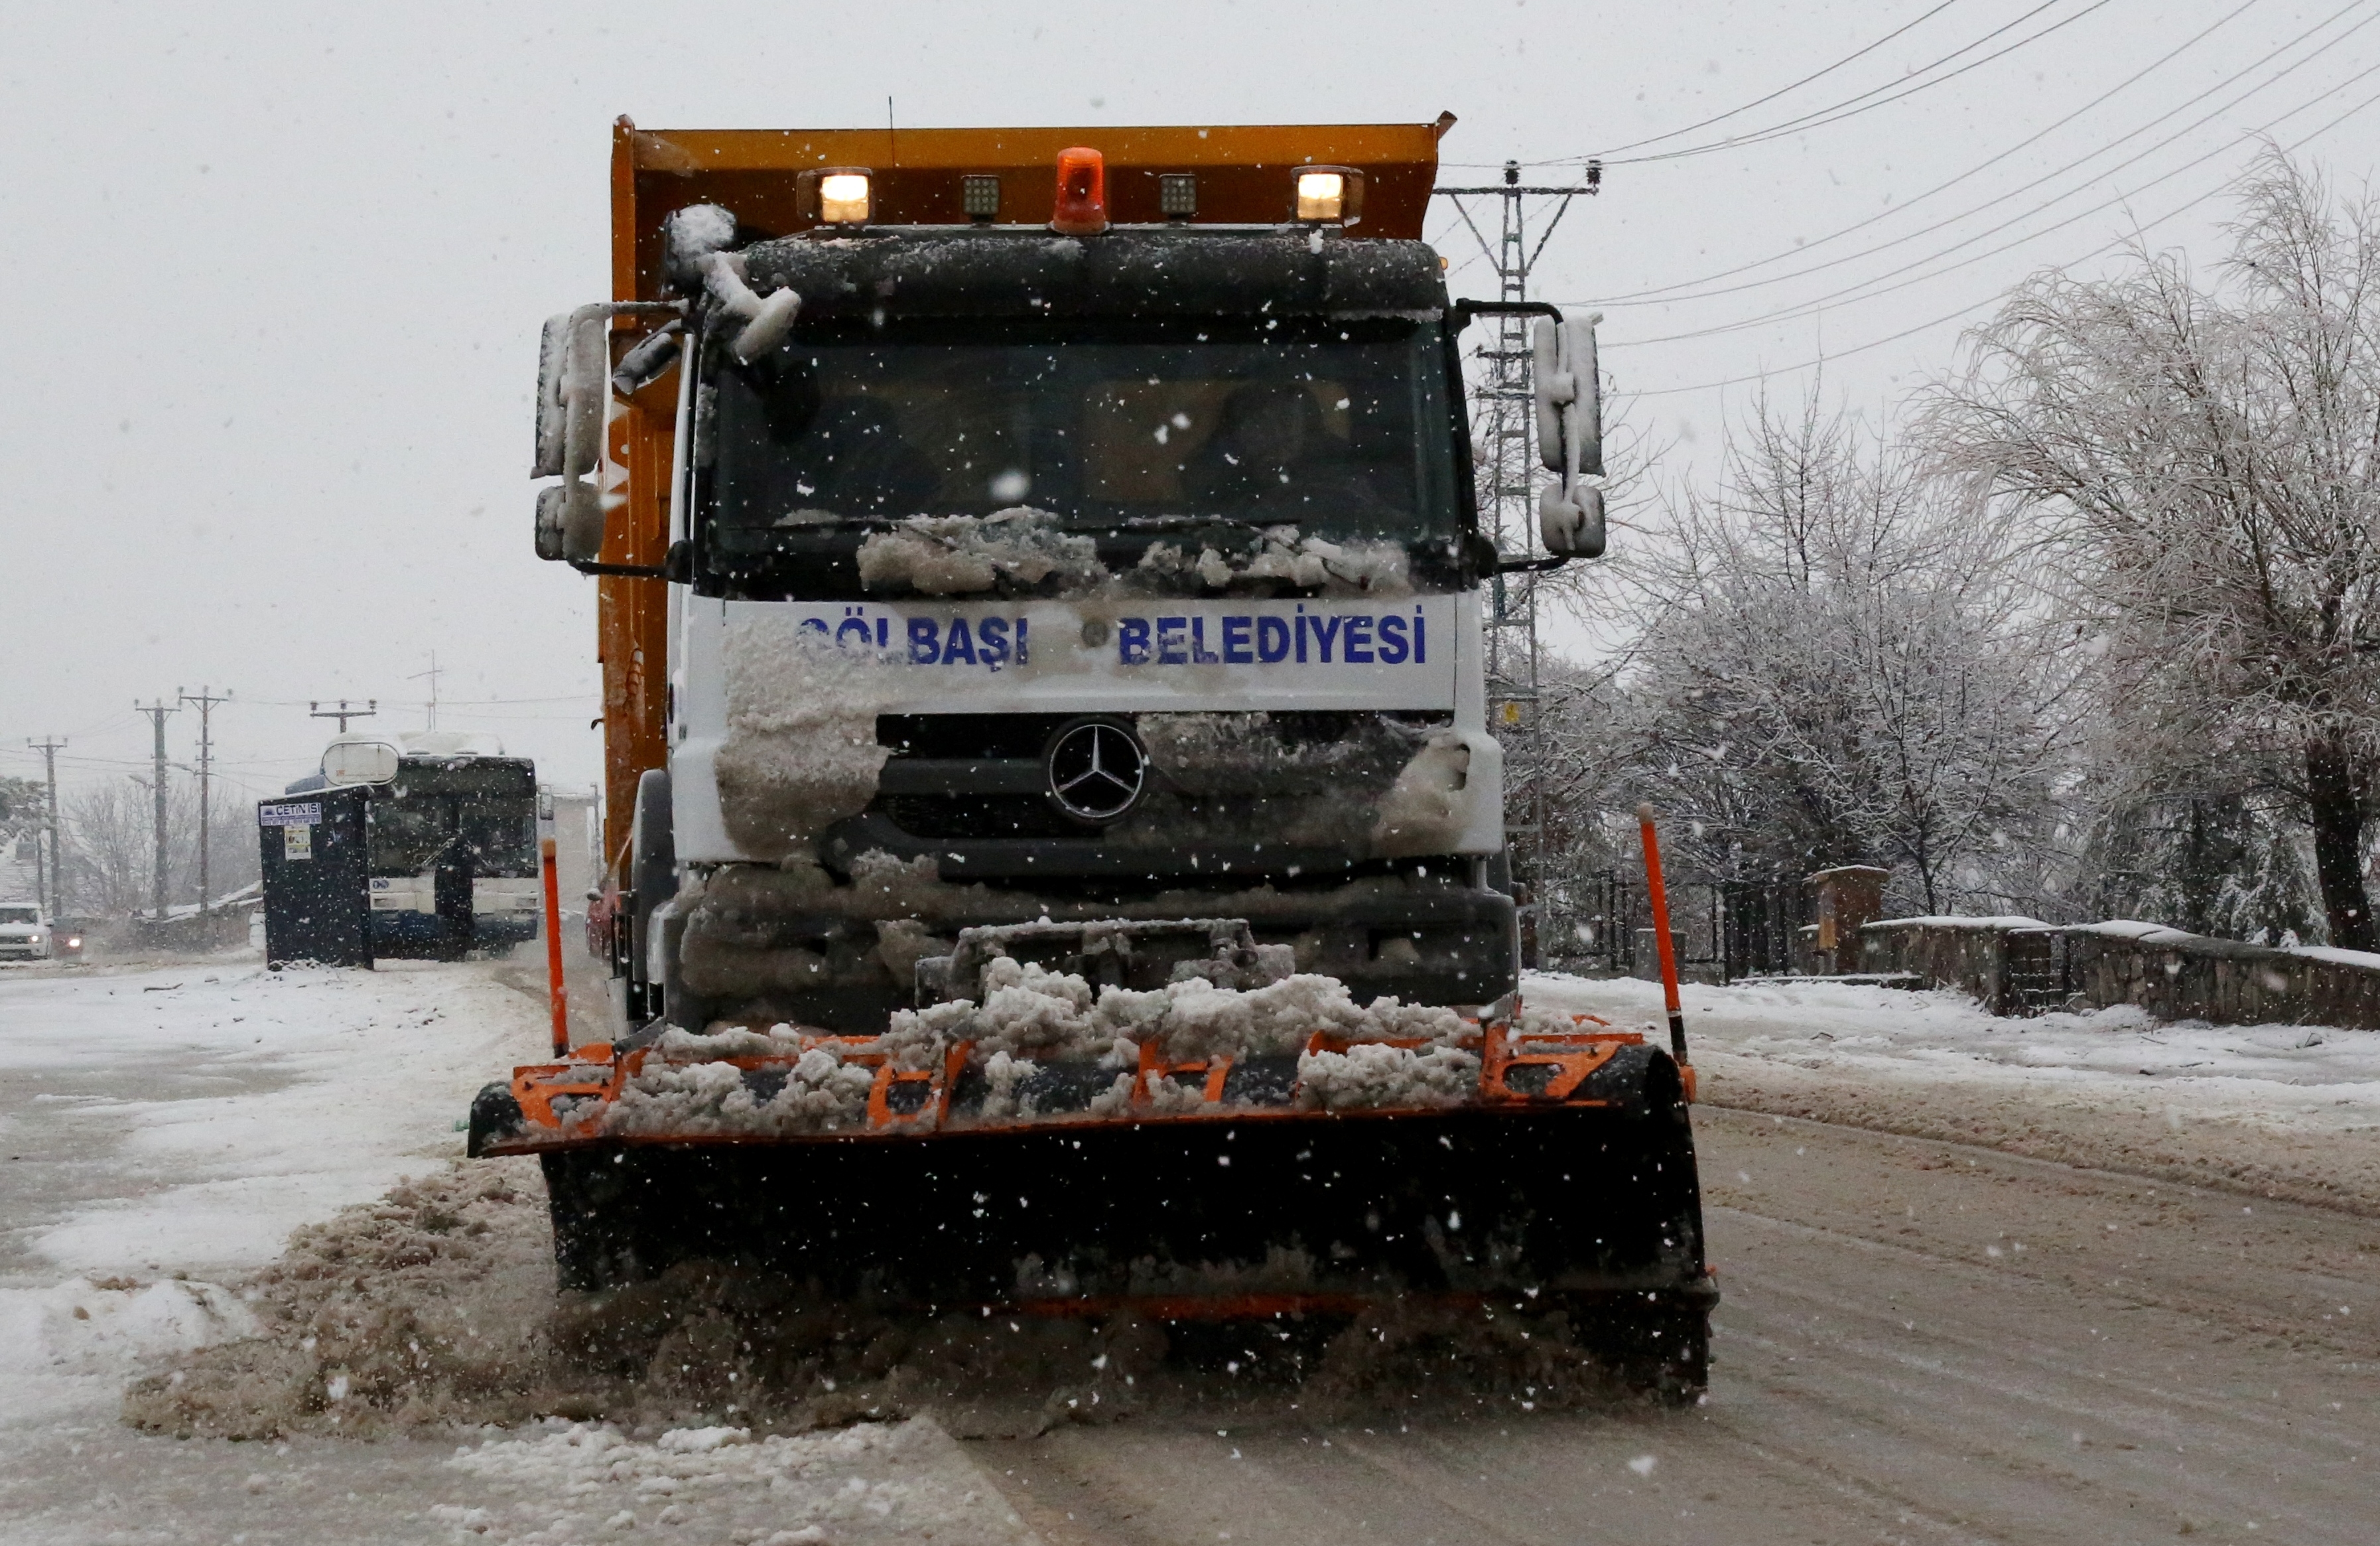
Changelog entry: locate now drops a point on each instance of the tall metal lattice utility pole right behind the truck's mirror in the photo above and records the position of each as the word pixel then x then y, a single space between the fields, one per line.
pixel 1505 478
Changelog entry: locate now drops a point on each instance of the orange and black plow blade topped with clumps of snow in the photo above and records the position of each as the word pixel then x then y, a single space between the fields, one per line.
pixel 1308 1157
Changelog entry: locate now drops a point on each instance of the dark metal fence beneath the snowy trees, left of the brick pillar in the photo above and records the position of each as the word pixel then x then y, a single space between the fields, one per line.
pixel 1724 930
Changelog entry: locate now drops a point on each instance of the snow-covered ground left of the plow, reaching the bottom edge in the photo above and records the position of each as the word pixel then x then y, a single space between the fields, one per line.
pixel 165 1130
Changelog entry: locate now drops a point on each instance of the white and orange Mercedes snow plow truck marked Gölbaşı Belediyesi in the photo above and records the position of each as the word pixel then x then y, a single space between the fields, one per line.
pixel 1053 833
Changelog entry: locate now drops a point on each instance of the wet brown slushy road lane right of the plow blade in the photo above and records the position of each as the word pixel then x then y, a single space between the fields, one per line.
pixel 1919 1342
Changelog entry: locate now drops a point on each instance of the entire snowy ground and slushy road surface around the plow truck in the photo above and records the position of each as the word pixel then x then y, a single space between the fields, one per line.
pixel 1922 1340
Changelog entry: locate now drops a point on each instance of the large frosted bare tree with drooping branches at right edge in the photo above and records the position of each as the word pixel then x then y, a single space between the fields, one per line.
pixel 2205 470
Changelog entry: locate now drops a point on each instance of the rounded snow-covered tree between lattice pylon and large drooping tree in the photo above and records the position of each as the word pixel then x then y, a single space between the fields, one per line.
pixel 1831 671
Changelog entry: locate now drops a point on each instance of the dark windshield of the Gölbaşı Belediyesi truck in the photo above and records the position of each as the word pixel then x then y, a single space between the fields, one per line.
pixel 1327 425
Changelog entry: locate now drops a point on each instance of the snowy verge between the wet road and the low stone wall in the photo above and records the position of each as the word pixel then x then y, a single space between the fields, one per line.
pixel 2281 1111
